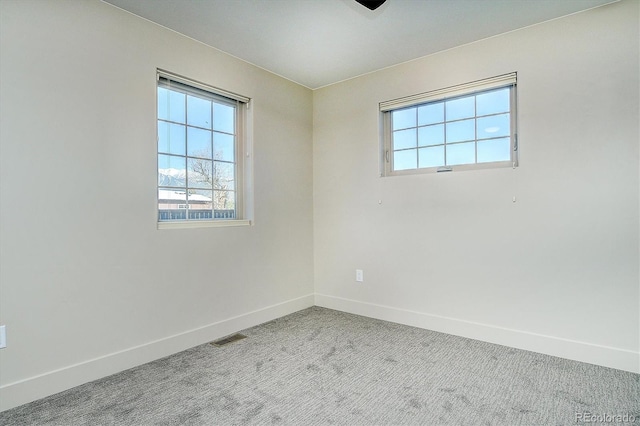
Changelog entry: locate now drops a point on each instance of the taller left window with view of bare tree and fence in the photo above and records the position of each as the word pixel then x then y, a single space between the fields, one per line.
pixel 201 153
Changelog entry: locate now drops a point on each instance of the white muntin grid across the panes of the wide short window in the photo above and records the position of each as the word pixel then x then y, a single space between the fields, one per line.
pixel 511 133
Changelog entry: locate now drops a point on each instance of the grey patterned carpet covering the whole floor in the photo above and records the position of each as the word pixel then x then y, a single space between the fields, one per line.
pixel 321 367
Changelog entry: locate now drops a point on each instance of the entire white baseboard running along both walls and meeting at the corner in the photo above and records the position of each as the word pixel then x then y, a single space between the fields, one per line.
pixel 33 388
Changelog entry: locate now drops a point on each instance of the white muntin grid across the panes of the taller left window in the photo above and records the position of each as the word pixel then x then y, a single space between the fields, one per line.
pixel 189 190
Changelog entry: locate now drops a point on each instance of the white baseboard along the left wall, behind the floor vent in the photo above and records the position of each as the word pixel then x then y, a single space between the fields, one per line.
pixel 33 388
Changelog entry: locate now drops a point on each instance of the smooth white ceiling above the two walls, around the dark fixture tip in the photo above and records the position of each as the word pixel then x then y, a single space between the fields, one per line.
pixel 320 42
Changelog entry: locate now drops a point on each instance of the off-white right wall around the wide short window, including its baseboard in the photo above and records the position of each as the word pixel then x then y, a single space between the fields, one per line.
pixel 557 271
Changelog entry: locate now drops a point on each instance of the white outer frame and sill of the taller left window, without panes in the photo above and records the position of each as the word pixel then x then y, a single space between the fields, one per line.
pixel 243 165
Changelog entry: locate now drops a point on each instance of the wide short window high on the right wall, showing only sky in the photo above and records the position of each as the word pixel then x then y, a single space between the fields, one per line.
pixel 459 128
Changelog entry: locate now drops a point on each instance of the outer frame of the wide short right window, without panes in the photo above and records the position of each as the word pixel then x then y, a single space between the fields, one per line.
pixel 469 89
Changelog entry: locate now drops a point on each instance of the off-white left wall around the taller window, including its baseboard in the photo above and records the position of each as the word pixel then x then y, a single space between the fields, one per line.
pixel 88 285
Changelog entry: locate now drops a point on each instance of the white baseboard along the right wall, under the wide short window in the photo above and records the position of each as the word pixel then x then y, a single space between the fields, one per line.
pixel 621 359
